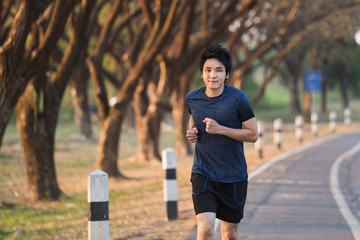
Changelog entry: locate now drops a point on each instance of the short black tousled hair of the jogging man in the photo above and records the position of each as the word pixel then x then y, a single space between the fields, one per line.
pixel 219 52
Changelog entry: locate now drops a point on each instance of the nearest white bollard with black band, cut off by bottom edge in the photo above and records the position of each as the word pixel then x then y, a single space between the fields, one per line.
pixel 98 199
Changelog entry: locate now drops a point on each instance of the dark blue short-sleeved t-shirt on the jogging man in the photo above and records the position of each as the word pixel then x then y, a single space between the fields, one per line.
pixel 218 157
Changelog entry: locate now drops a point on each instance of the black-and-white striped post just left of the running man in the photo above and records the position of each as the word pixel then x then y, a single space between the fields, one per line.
pixel 170 183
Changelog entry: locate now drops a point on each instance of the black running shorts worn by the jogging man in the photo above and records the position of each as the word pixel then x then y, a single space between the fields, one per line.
pixel 227 200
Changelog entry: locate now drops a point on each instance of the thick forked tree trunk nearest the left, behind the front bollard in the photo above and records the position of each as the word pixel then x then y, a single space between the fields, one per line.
pixel 37 110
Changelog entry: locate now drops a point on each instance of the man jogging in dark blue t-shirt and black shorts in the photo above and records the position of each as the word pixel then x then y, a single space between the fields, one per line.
pixel 221 119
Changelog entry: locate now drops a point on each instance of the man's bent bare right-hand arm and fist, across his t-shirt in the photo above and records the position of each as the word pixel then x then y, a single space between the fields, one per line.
pixel 249 132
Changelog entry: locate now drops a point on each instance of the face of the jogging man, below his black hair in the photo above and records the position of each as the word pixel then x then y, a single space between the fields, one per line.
pixel 214 75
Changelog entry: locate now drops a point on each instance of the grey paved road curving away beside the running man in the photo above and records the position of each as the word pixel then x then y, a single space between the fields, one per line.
pixel 297 195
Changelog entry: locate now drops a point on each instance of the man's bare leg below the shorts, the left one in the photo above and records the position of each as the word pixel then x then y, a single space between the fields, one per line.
pixel 205 225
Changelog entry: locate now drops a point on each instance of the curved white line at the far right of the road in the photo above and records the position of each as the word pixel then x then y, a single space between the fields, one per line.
pixel 339 197
